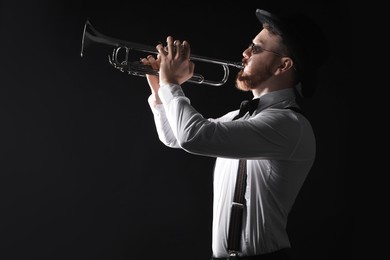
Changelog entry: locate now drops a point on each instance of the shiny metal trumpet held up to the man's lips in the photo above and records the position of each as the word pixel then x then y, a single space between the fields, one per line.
pixel 137 68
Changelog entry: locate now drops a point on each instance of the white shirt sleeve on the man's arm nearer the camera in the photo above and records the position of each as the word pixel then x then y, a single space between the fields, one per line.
pixel 268 135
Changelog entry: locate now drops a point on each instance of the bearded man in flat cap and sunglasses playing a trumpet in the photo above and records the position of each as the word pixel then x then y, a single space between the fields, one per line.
pixel 275 140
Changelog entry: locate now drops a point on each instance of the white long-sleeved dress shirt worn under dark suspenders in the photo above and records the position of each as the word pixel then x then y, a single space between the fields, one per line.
pixel 279 145
